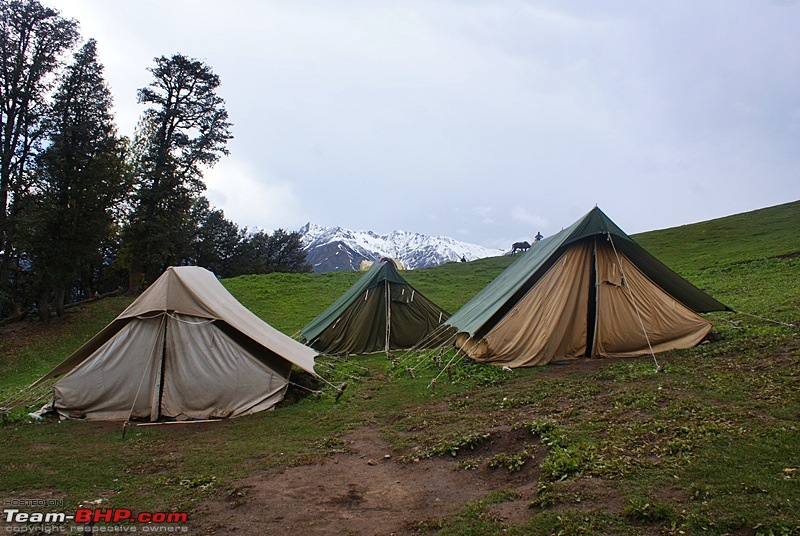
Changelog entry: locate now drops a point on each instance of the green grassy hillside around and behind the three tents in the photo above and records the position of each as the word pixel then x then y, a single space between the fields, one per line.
pixel 607 447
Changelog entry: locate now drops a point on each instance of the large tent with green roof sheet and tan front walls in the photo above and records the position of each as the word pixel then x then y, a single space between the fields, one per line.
pixel 589 290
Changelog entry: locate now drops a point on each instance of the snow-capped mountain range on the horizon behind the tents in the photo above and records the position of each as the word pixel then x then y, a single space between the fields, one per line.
pixel 331 249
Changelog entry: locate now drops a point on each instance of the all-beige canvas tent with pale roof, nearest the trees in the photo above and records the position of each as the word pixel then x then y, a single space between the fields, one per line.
pixel 185 349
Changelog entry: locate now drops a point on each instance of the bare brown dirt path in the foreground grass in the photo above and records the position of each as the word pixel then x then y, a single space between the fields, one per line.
pixel 363 492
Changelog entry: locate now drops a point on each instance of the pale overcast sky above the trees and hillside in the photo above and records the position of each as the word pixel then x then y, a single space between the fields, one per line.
pixel 486 121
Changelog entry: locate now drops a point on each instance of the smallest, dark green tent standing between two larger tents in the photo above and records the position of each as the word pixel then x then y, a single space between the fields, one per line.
pixel 380 312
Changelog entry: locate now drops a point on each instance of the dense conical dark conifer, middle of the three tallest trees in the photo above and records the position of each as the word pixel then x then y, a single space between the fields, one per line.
pixel 81 181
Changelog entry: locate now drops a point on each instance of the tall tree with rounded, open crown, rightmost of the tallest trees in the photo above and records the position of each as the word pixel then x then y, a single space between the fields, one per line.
pixel 185 130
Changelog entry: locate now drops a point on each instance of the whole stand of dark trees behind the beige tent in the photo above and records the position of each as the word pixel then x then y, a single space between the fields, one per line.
pixel 86 211
